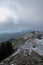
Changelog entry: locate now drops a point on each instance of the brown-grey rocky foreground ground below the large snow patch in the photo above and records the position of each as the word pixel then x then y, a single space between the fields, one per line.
pixel 24 59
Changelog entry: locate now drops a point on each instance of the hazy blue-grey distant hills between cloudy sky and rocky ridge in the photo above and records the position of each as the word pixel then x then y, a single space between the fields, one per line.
pixel 7 36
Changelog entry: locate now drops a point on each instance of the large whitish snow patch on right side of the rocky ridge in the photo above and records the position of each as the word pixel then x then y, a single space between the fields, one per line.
pixel 38 46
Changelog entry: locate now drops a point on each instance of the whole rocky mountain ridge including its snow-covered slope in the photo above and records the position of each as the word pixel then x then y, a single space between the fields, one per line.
pixel 27 50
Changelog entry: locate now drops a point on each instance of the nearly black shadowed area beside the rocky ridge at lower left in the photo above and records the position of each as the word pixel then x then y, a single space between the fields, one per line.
pixel 6 50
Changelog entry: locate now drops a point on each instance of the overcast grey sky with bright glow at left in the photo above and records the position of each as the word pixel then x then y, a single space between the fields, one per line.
pixel 19 15
